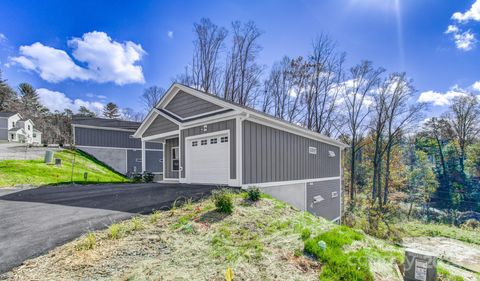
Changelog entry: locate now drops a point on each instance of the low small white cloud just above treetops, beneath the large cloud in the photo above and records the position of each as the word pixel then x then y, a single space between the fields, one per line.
pixel 54 100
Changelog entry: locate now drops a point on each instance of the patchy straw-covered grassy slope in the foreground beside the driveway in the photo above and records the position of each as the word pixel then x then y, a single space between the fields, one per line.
pixel 260 241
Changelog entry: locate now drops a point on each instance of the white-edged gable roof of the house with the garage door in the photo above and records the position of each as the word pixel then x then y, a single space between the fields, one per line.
pixel 177 87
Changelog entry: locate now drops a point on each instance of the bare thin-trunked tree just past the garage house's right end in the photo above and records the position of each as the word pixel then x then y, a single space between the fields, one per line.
pixel 357 101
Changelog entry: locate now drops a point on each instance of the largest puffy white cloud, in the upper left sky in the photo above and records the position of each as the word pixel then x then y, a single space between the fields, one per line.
pixel 106 60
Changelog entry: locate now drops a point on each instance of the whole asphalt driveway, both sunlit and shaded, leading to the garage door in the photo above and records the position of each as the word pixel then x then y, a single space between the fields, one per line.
pixel 36 220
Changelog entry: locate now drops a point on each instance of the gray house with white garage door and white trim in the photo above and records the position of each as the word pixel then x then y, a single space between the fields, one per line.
pixel 211 141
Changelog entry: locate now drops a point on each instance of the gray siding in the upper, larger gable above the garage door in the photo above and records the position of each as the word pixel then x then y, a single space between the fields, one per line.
pixel 185 105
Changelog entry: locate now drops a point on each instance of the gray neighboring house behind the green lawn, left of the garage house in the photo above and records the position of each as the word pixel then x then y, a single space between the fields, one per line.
pixel 111 142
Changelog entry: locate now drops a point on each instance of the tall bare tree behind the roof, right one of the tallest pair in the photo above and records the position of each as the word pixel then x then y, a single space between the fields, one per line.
pixel 242 73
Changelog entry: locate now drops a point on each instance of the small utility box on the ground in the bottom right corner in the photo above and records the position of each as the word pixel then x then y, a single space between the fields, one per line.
pixel 420 266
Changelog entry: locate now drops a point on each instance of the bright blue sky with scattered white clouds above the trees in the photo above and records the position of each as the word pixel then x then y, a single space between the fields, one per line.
pixel 136 44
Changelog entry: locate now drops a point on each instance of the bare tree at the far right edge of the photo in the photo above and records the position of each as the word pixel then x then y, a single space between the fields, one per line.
pixel 464 116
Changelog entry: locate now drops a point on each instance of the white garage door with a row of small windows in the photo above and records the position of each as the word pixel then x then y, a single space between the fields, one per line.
pixel 207 159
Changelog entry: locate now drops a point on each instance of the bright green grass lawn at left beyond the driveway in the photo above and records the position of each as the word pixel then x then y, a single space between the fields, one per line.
pixel 36 172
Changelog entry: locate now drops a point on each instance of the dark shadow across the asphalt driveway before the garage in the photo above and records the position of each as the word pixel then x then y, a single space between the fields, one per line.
pixel 131 198
